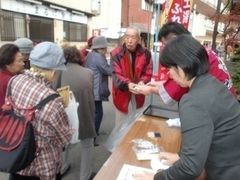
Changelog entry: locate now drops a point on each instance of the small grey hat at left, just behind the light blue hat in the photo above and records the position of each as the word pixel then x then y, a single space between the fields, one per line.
pixel 25 45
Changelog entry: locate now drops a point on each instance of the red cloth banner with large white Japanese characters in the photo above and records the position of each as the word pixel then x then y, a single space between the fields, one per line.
pixel 180 11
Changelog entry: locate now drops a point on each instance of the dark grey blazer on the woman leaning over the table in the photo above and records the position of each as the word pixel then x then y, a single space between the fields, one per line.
pixel 210 124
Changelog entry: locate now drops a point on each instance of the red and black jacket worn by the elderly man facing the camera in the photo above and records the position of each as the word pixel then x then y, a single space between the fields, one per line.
pixel 122 75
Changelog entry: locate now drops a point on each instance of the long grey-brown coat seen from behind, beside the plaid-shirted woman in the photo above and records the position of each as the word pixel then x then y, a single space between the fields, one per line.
pixel 80 80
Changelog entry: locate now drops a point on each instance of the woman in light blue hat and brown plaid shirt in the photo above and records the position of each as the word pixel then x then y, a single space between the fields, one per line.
pixel 51 128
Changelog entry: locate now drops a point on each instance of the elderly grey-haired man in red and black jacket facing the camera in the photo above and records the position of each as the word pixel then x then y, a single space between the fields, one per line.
pixel 131 65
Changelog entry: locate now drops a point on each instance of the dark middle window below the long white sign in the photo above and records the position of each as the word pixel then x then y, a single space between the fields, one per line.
pixel 41 29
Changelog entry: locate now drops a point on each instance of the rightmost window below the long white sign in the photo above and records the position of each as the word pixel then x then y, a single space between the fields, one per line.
pixel 75 31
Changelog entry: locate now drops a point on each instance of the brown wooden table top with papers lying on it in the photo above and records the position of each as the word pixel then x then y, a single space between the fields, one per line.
pixel 170 140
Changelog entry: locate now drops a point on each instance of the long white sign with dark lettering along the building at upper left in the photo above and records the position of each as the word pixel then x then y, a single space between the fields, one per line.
pixel 43 11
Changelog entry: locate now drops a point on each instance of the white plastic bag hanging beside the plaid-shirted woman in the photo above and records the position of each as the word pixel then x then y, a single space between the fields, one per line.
pixel 71 111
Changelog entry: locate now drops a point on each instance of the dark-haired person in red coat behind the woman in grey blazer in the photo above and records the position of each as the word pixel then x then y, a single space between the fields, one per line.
pixel 169 91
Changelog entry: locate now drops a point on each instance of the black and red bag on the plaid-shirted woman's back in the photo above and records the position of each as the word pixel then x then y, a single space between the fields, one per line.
pixel 17 143
